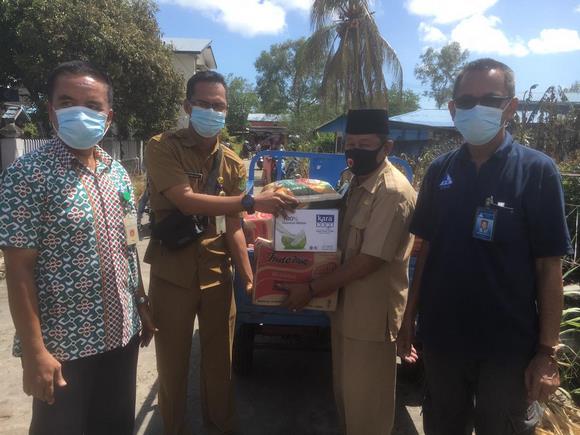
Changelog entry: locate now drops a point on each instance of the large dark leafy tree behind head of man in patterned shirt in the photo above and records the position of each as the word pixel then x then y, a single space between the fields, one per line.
pixel 120 37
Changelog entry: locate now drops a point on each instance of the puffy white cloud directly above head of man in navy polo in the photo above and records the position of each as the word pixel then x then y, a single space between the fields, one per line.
pixel 480 34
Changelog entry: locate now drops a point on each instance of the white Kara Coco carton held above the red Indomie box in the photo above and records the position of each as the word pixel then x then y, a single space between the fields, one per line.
pixel 307 230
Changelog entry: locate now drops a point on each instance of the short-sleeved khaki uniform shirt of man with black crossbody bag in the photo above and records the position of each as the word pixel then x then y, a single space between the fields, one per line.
pixel 172 158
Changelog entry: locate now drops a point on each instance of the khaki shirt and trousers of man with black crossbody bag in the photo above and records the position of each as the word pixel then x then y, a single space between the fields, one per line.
pixel 193 281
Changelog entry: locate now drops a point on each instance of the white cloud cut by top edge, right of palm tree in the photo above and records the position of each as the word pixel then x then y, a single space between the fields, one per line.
pixel 448 11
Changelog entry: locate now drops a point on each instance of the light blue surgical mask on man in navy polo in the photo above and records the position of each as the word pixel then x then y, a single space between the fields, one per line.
pixel 478 125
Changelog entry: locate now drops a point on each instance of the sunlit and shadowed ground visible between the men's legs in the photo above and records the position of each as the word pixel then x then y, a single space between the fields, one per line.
pixel 288 393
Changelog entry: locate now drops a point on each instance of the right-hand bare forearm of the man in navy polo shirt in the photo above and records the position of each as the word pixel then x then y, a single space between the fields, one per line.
pixel 550 299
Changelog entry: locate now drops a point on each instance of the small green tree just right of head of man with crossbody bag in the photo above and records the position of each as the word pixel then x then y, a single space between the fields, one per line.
pixel 242 100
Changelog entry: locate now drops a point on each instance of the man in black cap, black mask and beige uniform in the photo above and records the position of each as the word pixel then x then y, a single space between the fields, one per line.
pixel 376 245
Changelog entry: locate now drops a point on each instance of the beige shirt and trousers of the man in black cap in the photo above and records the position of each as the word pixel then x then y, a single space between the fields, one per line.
pixel 375 221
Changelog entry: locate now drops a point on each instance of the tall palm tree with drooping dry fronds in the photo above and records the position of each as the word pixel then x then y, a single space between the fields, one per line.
pixel 346 34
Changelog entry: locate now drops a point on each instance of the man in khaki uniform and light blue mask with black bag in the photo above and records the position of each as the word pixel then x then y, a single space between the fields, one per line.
pixel 196 280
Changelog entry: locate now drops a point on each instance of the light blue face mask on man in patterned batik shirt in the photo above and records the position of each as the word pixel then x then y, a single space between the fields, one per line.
pixel 80 127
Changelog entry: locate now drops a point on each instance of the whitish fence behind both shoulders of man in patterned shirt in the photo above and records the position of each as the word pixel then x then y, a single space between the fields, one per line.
pixel 128 152
